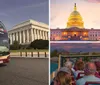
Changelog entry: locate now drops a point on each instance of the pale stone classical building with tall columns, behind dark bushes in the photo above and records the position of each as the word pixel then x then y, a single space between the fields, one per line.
pixel 28 31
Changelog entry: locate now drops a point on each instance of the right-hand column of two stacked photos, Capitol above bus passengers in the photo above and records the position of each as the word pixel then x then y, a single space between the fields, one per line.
pixel 74 42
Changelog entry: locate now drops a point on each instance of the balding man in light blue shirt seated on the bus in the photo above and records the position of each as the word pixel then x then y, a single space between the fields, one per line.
pixel 89 71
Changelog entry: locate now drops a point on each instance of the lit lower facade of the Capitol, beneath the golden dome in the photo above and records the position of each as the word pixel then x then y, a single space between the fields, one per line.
pixel 75 34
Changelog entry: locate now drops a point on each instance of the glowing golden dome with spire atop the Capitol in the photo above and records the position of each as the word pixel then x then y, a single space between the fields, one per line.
pixel 75 19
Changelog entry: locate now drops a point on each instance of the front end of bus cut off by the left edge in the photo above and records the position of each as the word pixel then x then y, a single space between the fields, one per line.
pixel 4 45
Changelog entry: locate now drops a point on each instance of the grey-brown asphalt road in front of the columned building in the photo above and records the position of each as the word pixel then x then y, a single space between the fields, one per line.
pixel 24 71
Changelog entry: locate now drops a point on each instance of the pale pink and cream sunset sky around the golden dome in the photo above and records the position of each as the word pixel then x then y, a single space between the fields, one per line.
pixel 61 9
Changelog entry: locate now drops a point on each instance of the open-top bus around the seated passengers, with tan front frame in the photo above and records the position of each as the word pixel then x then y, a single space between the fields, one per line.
pixel 73 58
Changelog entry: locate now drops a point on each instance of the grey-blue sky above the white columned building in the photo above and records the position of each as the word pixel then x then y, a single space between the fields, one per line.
pixel 13 12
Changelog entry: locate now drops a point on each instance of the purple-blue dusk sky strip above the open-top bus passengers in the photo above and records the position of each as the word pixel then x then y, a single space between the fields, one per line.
pixel 76 47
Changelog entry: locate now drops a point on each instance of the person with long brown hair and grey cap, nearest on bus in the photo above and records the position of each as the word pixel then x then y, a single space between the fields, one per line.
pixel 63 77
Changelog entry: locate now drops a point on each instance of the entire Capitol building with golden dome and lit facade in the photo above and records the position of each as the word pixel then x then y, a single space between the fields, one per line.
pixel 75 30
